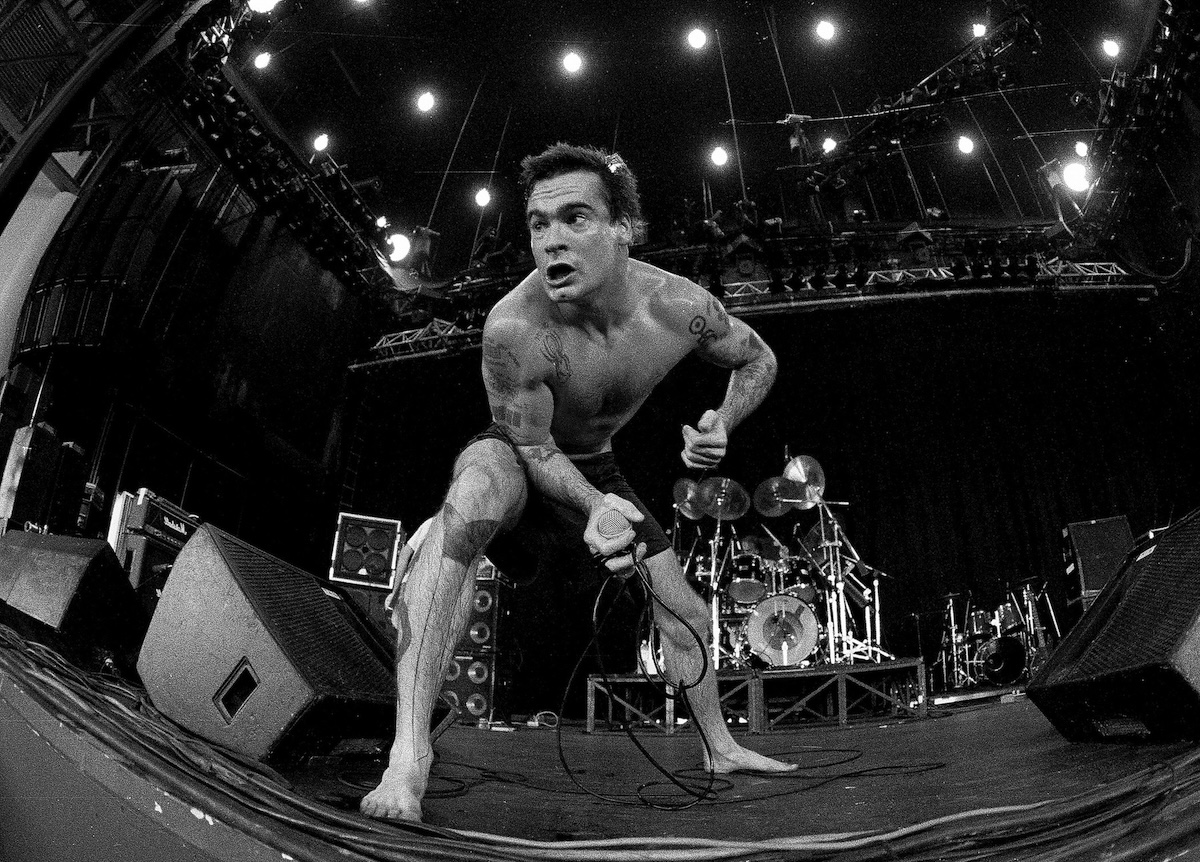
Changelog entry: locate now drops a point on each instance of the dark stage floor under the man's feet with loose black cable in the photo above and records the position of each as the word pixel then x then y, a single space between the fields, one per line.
pixel 868 776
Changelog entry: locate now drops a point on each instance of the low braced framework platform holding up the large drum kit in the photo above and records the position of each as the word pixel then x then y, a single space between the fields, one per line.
pixel 766 701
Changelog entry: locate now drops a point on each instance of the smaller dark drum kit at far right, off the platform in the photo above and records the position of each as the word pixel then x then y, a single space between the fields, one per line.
pixel 999 648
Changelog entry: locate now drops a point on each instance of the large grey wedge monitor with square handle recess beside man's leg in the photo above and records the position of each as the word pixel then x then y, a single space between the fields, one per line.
pixel 254 654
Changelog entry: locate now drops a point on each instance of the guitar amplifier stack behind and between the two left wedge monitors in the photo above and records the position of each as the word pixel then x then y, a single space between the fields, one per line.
pixel 148 532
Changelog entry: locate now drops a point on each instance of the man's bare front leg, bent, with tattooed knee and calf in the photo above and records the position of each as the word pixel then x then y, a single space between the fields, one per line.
pixel 487 495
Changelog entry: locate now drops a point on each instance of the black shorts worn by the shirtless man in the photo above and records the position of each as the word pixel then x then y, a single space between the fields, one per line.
pixel 549 538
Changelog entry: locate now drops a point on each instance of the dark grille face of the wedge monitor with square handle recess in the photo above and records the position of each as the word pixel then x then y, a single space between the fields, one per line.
pixel 327 651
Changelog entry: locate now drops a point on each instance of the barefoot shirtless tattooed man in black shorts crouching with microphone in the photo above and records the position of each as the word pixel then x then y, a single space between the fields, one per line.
pixel 569 356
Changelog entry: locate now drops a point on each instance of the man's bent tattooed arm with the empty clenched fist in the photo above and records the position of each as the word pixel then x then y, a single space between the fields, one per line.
pixel 729 343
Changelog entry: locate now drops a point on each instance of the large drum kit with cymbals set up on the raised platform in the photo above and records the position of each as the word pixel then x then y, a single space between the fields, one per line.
pixel 775 604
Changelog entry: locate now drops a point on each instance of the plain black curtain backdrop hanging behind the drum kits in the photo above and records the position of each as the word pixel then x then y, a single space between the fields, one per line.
pixel 964 433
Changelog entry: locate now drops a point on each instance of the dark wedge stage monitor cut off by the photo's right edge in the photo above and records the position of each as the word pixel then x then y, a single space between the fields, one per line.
pixel 1131 667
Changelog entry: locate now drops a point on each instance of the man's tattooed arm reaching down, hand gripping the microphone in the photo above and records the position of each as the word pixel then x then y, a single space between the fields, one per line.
pixel 521 402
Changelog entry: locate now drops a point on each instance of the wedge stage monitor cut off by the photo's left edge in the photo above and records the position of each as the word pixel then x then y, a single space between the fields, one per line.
pixel 71 595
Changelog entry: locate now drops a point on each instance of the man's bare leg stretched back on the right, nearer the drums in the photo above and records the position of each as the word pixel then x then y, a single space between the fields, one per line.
pixel 686 661
